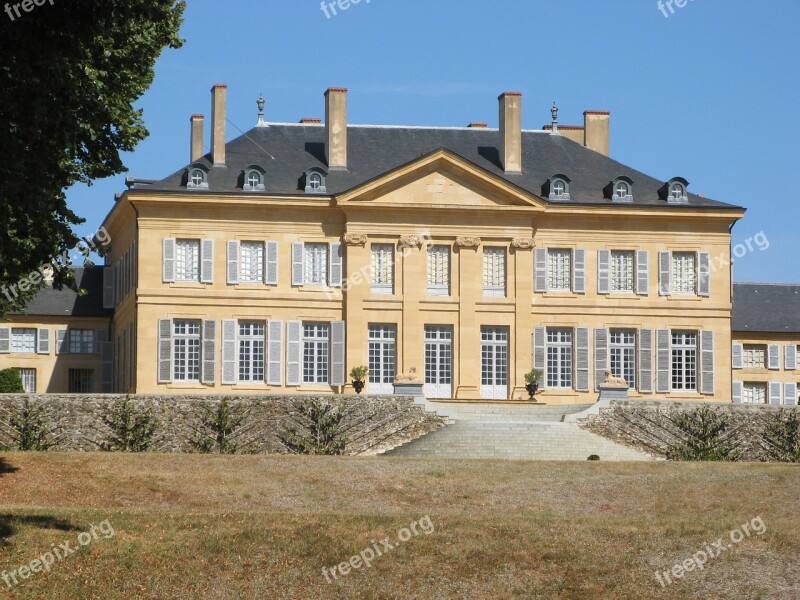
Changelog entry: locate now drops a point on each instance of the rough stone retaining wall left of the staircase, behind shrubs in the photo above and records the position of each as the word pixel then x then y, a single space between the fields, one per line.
pixel 371 424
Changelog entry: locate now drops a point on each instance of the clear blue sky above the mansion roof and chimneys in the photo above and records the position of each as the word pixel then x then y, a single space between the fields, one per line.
pixel 710 93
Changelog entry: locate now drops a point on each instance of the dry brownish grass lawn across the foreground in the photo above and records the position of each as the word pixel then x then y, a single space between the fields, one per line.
pixel 263 527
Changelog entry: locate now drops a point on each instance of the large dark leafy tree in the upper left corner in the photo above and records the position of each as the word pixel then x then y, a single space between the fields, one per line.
pixel 69 75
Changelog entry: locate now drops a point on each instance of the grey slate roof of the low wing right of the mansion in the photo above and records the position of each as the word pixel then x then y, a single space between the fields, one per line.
pixel 766 307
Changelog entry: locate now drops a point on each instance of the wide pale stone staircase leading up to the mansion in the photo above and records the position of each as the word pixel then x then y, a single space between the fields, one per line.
pixel 512 431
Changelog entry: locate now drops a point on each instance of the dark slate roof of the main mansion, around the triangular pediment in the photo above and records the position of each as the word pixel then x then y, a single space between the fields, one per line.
pixel 287 151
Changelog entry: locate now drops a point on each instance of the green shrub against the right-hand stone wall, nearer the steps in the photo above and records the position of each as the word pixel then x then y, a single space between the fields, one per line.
pixel 705 436
